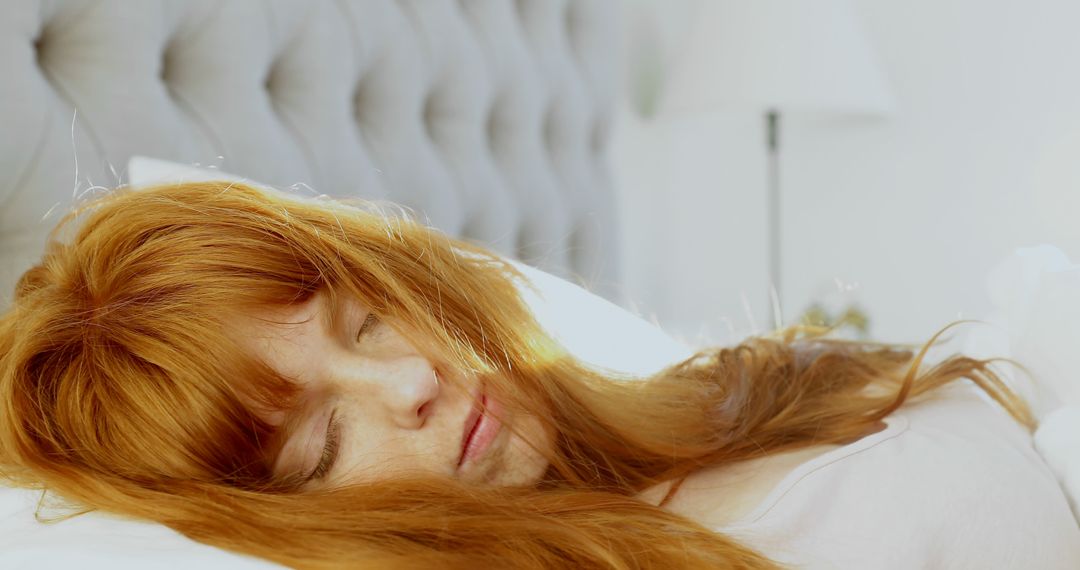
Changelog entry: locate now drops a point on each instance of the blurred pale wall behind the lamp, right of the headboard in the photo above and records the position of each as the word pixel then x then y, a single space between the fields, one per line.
pixel 903 216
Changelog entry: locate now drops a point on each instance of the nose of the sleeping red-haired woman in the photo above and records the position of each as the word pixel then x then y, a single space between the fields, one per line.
pixel 409 389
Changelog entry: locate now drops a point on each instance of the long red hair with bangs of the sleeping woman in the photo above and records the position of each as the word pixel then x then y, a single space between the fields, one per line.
pixel 123 392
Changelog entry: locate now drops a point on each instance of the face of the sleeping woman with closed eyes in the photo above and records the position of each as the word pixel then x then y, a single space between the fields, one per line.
pixel 373 406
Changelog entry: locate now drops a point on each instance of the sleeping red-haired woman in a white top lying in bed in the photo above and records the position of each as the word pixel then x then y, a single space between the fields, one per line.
pixel 326 387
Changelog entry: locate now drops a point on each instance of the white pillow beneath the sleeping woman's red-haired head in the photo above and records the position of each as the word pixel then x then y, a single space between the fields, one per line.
pixel 595 330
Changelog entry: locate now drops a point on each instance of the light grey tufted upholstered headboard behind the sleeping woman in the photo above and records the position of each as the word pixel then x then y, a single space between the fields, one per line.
pixel 490 119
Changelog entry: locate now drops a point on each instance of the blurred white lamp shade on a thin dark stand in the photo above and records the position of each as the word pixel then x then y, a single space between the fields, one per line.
pixel 788 56
